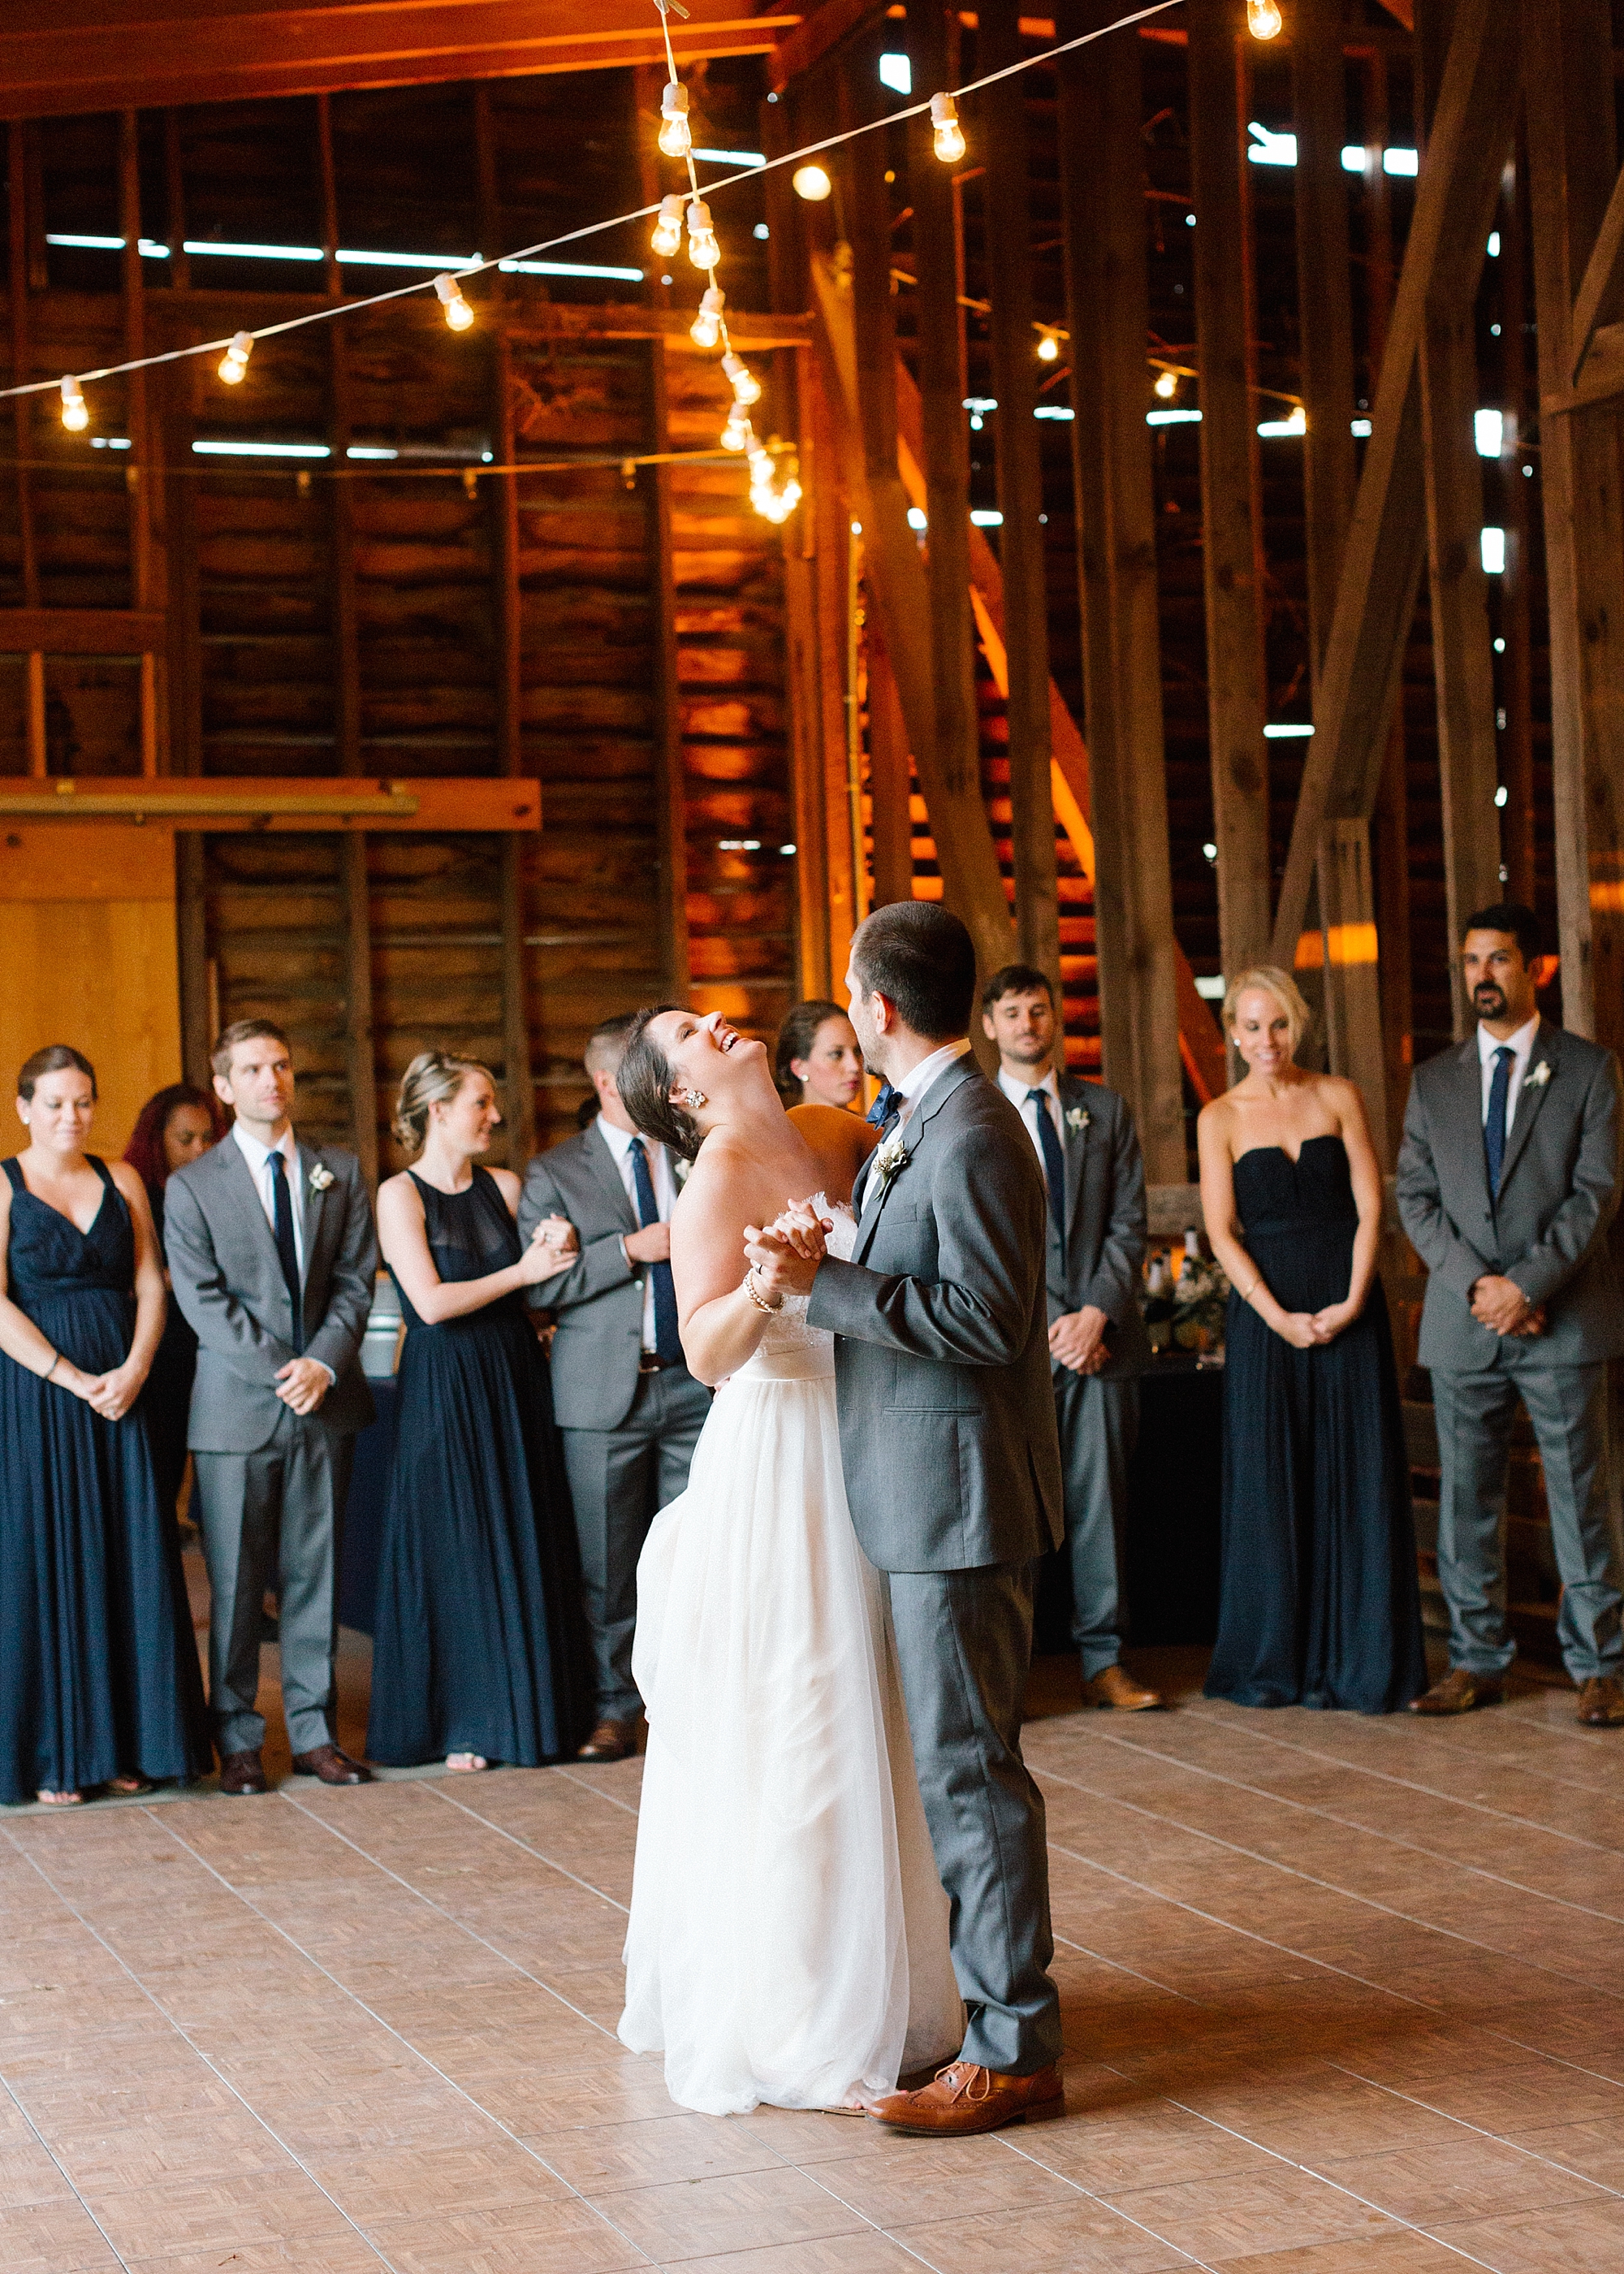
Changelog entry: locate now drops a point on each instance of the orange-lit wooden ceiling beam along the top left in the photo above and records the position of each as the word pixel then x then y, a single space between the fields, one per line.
pixel 63 56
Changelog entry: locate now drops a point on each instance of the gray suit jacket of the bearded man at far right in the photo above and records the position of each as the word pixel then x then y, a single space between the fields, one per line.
pixel 1548 1229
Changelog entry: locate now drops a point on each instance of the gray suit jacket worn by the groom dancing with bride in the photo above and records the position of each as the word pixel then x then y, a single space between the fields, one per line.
pixel 947 1413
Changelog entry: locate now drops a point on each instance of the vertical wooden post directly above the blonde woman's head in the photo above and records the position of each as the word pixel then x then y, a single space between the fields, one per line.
pixel 1232 508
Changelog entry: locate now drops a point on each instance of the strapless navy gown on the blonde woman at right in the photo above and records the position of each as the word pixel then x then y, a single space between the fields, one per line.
pixel 1320 1600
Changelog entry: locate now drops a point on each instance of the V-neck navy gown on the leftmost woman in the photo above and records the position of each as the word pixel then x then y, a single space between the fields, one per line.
pixel 99 1670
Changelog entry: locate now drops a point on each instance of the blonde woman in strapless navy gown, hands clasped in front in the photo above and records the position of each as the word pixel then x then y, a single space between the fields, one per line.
pixel 1320 1600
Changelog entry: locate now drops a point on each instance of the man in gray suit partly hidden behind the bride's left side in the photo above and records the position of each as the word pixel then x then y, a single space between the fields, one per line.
pixel 627 1404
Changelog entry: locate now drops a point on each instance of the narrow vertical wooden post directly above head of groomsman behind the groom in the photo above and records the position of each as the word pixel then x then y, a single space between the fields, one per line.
pixel 1020 492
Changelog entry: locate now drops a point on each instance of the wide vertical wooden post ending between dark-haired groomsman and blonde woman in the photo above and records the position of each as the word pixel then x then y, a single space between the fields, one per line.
pixel 1102 172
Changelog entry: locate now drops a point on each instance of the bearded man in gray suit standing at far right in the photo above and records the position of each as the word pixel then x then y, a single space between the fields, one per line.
pixel 1509 1181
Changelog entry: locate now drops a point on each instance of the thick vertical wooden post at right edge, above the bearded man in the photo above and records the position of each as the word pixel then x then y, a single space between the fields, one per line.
pixel 1568 76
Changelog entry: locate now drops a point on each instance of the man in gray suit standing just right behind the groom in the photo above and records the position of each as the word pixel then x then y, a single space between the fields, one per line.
pixel 1095 1177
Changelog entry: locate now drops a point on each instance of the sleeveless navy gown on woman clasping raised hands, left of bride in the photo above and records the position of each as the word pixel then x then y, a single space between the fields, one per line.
pixel 479 1641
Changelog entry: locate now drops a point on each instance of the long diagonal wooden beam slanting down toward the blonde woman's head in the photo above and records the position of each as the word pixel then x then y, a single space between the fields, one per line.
pixel 1389 540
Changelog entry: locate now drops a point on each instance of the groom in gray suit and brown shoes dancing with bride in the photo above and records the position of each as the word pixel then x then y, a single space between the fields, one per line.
pixel 947 1431
